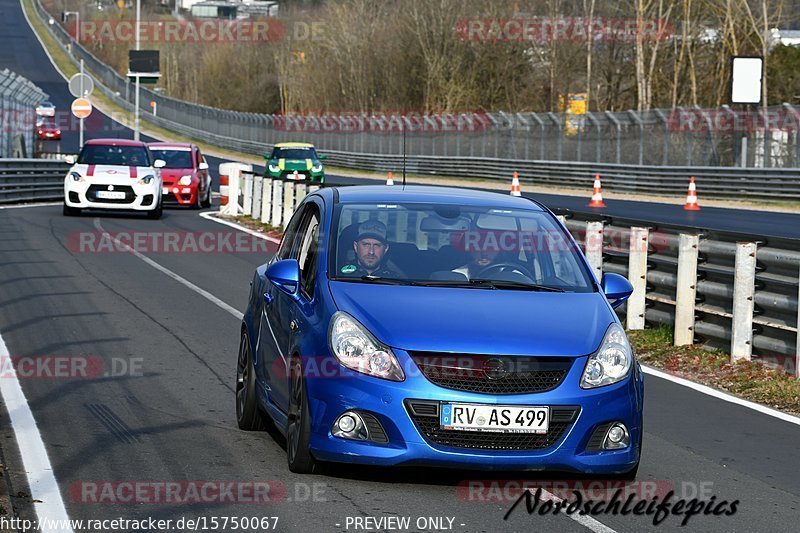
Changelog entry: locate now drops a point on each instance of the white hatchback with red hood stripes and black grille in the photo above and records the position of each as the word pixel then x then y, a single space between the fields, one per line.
pixel 114 174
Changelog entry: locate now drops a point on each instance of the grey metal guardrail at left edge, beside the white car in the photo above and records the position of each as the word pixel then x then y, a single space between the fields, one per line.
pixel 31 180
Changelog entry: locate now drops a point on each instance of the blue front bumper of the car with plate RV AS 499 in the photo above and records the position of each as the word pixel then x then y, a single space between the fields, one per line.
pixel 388 403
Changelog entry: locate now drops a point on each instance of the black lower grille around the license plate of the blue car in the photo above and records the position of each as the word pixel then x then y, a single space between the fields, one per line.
pixel 425 414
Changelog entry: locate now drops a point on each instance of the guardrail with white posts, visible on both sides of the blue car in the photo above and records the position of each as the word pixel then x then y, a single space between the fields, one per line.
pixel 724 290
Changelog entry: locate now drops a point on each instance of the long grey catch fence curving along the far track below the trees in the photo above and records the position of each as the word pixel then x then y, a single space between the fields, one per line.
pixel 685 136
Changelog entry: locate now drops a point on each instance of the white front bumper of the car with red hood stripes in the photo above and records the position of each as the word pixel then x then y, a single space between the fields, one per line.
pixel 138 197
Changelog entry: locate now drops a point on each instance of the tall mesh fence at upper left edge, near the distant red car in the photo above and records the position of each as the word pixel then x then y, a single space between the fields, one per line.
pixel 18 100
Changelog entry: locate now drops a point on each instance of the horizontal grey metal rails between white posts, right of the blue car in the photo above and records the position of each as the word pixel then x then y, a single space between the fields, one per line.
pixel 775 337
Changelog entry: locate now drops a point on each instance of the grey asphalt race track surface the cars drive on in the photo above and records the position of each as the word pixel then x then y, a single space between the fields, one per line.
pixel 160 330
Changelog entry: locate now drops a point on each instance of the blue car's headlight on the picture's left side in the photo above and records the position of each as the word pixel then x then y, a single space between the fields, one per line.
pixel 358 350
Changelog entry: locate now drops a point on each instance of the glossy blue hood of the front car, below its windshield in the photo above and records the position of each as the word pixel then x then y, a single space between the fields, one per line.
pixel 479 321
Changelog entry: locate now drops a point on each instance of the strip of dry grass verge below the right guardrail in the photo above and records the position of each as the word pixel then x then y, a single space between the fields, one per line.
pixel 750 380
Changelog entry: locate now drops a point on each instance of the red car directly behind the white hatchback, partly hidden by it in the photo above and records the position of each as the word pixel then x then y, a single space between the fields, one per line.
pixel 186 177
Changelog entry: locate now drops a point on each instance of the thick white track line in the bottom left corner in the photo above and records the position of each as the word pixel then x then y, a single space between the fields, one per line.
pixel 39 471
